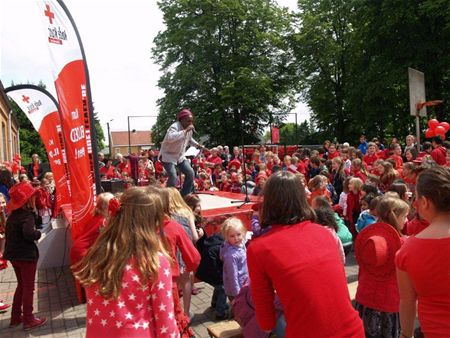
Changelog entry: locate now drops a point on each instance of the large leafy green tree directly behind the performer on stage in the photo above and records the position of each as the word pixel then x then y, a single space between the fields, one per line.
pixel 229 61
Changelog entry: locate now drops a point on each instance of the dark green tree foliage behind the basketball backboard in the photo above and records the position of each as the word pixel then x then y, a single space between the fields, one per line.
pixel 353 58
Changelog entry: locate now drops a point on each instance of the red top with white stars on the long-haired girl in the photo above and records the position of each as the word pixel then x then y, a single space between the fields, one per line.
pixel 143 308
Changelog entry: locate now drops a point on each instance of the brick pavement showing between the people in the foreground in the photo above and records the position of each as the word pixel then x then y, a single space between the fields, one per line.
pixel 55 298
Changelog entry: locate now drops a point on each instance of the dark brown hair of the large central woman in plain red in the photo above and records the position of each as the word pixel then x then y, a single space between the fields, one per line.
pixel 284 201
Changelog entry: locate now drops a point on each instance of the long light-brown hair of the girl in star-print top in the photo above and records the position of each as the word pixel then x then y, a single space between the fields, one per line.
pixel 134 232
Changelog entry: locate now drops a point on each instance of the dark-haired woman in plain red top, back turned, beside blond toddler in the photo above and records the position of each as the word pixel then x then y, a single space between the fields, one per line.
pixel 298 260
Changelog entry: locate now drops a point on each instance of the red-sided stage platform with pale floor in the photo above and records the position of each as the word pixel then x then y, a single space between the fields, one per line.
pixel 217 206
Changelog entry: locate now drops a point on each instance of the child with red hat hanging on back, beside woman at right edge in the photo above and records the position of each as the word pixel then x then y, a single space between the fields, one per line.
pixel 377 297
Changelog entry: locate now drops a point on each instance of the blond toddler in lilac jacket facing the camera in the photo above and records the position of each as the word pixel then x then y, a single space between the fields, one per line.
pixel 233 254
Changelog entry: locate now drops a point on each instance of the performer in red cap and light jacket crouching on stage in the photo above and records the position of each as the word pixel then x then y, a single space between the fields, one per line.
pixel 173 148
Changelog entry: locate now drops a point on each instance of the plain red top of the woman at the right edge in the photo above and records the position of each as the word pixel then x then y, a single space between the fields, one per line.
pixel 427 262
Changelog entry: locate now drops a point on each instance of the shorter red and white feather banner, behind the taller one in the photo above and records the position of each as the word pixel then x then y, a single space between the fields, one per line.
pixel 41 110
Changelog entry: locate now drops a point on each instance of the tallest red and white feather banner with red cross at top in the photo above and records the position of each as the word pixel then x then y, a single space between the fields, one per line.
pixel 73 96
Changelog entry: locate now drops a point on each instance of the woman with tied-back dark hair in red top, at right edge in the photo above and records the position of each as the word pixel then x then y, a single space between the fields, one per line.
pixel 423 263
